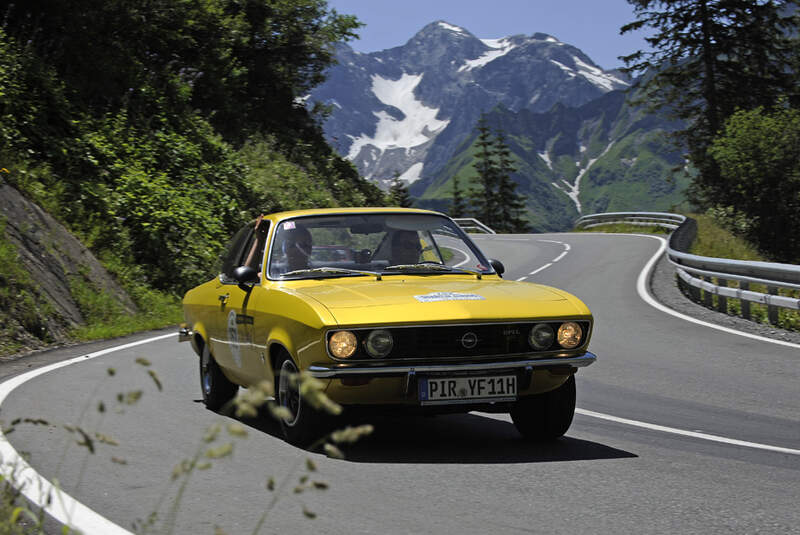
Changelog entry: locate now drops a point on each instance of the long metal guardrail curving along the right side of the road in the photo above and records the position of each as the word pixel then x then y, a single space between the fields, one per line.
pixel 698 272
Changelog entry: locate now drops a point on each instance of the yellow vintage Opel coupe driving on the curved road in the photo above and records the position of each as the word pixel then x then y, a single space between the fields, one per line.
pixel 393 309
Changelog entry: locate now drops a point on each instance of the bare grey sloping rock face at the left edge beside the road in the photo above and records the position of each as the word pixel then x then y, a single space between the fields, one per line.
pixel 54 259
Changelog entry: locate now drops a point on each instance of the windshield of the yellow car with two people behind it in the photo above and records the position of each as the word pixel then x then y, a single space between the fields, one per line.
pixel 349 245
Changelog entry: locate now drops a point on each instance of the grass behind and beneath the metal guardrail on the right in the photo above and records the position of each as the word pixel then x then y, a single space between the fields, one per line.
pixel 713 240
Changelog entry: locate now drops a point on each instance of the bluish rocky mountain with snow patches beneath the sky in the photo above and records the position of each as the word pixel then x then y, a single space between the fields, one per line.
pixel 407 109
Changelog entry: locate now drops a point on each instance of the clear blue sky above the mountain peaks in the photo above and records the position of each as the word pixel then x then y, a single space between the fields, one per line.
pixel 591 25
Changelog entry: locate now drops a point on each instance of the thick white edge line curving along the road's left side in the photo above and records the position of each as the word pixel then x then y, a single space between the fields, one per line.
pixel 41 492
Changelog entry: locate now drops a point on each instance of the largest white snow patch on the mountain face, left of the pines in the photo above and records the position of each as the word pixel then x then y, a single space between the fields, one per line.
pixel 418 125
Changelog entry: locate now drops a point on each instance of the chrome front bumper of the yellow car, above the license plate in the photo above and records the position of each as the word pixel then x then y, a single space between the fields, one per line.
pixel 343 370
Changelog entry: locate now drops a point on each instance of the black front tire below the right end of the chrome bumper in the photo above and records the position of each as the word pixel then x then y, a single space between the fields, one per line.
pixel 546 416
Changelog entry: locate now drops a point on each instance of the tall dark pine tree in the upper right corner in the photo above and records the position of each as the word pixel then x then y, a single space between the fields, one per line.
pixel 709 58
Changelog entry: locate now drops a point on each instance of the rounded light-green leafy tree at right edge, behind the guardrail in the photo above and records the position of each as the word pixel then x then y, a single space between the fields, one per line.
pixel 759 158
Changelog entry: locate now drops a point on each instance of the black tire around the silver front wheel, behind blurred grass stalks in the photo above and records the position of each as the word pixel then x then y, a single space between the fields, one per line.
pixel 308 424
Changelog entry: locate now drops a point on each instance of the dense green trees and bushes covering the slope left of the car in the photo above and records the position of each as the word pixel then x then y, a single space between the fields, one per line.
pixel 153 130
